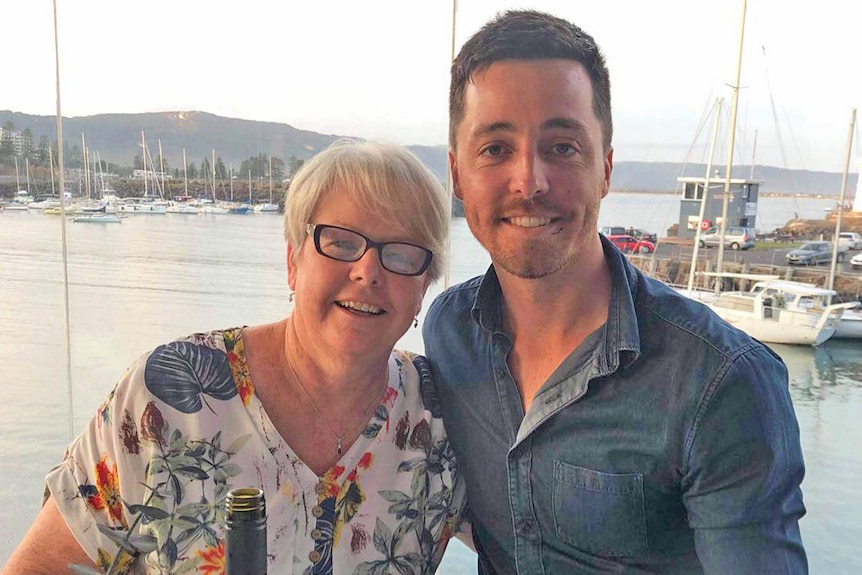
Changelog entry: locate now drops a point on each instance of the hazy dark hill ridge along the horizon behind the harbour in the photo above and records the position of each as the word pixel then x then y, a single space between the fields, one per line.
pixel 117 138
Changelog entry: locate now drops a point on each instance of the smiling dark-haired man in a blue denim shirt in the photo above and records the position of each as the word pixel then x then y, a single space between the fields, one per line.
pixel 604 423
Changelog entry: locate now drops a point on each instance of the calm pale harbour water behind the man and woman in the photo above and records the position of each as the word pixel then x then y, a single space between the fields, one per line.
pixel 151 279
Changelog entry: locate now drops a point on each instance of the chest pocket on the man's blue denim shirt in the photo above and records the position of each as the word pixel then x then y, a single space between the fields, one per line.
pixel 601 513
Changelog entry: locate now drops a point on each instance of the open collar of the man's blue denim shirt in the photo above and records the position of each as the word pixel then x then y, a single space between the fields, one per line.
pixel 620 345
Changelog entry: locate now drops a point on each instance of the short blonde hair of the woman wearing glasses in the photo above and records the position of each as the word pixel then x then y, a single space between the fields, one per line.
pixel 385 179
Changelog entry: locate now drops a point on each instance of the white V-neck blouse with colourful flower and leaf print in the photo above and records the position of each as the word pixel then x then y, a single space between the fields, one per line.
pixel 184 426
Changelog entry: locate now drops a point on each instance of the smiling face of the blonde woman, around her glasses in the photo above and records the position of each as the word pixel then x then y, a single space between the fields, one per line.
pixel 353 308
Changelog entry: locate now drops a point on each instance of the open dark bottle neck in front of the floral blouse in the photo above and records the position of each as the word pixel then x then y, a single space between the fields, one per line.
pixel 245 532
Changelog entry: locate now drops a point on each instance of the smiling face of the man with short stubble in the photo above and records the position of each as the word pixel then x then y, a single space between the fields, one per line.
pixel 529 164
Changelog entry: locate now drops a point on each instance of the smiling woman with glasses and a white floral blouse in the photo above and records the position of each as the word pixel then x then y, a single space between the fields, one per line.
pixel 317 409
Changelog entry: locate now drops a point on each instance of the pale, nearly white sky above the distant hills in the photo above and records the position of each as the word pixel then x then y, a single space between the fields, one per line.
pixel 379 69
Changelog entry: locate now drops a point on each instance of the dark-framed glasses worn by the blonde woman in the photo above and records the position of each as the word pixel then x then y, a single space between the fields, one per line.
pixel 347 245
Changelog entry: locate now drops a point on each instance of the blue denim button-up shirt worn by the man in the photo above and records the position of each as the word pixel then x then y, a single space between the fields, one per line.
pixel 666 443
